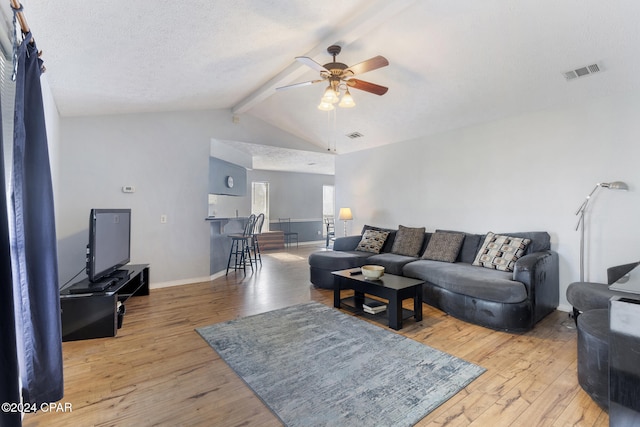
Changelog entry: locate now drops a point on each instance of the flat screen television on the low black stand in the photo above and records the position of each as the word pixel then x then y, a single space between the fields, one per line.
pixel 109 245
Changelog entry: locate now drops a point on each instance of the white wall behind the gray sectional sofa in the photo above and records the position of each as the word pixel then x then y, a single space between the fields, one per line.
pixel 525 173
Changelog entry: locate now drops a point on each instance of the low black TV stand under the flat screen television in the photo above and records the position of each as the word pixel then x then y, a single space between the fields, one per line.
pixel 95 314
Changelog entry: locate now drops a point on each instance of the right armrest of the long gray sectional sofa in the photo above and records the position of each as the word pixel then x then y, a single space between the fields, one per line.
pixel 539 272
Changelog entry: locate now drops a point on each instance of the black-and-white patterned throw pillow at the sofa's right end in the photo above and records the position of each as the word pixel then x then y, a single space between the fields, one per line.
pixel 500 252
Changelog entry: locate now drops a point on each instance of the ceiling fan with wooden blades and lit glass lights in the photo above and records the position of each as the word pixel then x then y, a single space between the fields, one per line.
pixel 340 76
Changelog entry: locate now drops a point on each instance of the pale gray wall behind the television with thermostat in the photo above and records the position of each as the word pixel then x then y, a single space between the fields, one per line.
pixel 165 156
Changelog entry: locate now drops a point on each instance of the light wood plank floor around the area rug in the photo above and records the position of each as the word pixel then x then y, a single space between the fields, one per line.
pixel 158 371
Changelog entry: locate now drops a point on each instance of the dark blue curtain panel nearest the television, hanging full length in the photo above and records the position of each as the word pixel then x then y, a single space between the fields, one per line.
pixel 33 240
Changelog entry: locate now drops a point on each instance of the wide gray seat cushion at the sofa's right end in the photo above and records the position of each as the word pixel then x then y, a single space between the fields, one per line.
pixel 465 279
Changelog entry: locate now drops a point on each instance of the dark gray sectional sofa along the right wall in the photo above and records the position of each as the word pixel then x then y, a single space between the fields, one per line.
pixel 503 300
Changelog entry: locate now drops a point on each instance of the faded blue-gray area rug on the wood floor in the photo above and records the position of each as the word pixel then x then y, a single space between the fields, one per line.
pixel 313 365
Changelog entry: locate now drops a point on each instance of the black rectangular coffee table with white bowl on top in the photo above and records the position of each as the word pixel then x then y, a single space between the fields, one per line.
pixel 393 288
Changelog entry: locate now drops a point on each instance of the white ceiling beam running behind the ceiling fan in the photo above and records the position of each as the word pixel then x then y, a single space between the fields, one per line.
pixel 377 14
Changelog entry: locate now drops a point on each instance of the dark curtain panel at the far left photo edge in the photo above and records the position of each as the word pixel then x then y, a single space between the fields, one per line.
pixel 9 391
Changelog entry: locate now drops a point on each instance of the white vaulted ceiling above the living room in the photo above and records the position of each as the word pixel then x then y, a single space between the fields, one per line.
pixel 452 63
